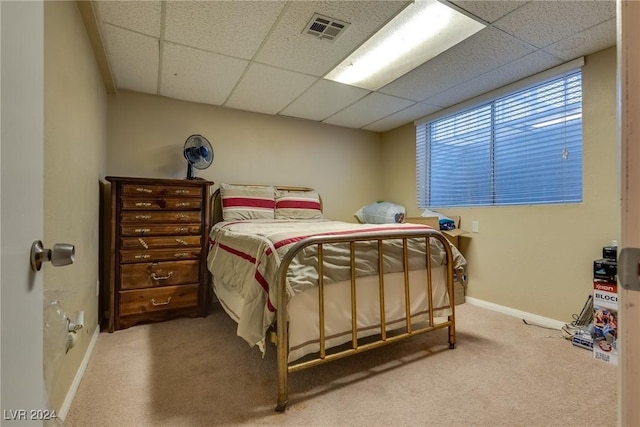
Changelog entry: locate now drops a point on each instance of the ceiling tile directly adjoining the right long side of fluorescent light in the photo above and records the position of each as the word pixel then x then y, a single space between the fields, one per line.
pixel 474 56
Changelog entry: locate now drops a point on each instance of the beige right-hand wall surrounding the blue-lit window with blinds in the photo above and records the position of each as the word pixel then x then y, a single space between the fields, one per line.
pixel 537 259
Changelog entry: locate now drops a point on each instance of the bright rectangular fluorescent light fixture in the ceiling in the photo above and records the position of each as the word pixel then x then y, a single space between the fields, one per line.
pixel 423 30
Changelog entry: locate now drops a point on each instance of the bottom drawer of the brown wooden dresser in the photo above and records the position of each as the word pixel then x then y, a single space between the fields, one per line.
pixel 157 299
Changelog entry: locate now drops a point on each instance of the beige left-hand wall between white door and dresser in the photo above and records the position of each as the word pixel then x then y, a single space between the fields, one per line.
pixel 75 113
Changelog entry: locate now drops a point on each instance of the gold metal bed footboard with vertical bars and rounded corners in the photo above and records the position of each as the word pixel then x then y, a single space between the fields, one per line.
pixel 284 367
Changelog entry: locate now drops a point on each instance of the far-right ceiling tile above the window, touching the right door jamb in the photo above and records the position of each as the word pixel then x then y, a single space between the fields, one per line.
pixel 592 40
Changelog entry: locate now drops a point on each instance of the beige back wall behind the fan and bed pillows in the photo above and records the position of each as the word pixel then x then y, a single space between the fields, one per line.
pixel 147 135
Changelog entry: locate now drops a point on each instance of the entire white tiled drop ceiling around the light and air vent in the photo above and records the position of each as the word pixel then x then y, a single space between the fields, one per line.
pixel 254 55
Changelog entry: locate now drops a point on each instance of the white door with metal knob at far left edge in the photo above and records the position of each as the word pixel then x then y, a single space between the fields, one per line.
pixel 21 157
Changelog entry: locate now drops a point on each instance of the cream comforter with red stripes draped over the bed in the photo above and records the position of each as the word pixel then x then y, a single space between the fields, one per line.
pixel 244 257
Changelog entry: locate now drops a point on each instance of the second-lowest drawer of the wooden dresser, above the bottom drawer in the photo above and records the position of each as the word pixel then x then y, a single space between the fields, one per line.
pixel 148 275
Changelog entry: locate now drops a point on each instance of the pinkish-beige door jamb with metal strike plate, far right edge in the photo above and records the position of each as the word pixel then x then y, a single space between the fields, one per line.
pixel 629 301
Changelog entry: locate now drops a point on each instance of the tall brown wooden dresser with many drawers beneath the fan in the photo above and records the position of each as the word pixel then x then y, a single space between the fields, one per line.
pixel 158 236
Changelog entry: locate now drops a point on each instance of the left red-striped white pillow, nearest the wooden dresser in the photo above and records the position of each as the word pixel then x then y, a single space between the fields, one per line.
pixel 240 202
